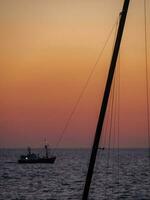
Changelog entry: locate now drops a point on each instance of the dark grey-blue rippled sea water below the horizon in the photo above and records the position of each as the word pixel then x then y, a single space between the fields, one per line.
pixel 118 175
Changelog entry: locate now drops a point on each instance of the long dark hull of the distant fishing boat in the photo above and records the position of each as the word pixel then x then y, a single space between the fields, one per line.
pixel 39 160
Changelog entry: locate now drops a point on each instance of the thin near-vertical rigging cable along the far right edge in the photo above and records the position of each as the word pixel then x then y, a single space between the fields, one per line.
pixel 147 82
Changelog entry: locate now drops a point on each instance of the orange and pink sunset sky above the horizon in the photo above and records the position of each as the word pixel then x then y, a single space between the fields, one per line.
pixel 47 50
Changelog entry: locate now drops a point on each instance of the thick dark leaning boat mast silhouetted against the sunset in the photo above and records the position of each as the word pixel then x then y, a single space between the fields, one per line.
pixel 123 15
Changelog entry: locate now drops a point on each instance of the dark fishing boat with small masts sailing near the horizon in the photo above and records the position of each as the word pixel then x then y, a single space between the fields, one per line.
pixel 35 158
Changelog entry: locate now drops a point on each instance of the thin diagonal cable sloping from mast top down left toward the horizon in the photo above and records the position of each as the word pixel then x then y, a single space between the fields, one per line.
pixel 85 86
